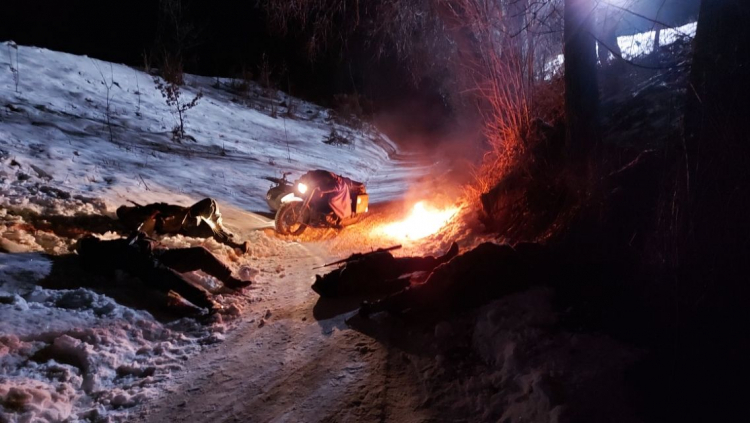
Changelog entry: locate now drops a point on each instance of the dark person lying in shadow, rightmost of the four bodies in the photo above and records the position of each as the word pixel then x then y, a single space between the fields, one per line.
pixel 477 276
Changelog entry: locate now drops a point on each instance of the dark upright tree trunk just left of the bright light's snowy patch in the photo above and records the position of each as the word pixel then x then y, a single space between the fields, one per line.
pixel 581 90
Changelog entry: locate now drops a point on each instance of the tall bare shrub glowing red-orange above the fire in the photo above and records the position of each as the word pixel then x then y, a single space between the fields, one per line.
pixel 502 70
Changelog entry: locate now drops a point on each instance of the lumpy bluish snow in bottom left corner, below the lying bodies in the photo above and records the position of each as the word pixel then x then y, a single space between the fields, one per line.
pixel 69 354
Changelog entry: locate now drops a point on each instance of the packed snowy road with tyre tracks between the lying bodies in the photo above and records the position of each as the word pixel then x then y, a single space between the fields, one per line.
pixel 299 363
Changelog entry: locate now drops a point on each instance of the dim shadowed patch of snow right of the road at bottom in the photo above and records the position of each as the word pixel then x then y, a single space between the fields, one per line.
pixel 539 372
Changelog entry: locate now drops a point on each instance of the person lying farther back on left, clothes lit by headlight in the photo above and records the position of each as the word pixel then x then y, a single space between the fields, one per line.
pixel 201 220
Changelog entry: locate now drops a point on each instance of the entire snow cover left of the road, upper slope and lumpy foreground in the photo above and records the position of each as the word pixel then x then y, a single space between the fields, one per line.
pixel 74 353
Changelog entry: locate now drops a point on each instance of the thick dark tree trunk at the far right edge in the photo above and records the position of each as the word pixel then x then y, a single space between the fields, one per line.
pixel 716 132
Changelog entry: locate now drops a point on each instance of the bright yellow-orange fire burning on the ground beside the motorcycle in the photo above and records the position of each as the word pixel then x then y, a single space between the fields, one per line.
pixel 422 222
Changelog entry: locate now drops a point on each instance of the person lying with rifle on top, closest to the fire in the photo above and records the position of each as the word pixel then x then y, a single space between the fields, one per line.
pixel 376 273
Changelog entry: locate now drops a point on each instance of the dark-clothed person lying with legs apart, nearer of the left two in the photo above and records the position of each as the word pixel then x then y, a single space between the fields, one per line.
pixel 157 266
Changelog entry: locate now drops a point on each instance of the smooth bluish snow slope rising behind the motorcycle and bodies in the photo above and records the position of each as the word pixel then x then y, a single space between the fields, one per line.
pixel 56 121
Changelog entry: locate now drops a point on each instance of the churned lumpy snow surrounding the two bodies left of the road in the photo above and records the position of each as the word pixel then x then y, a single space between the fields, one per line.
pixel 77 354
